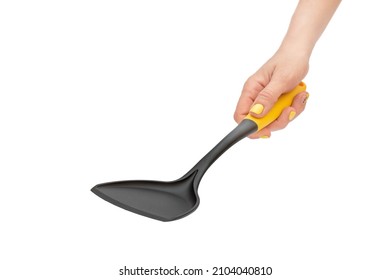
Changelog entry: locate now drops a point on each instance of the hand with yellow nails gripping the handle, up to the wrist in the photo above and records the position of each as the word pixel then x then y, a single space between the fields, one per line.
pixel 280 74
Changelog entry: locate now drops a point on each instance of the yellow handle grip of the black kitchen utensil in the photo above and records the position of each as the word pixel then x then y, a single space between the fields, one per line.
pixel 284 101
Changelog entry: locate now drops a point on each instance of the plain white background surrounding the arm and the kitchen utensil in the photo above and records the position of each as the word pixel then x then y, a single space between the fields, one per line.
pixel 95 91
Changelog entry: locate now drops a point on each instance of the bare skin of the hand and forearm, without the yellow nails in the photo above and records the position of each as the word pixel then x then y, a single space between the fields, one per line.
pixel 287 67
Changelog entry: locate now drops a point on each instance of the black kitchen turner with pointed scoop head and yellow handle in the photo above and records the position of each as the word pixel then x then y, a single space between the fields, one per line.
pixel 168 201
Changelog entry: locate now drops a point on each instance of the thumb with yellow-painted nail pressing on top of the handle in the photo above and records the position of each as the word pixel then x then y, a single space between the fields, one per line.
pixel 267 97
